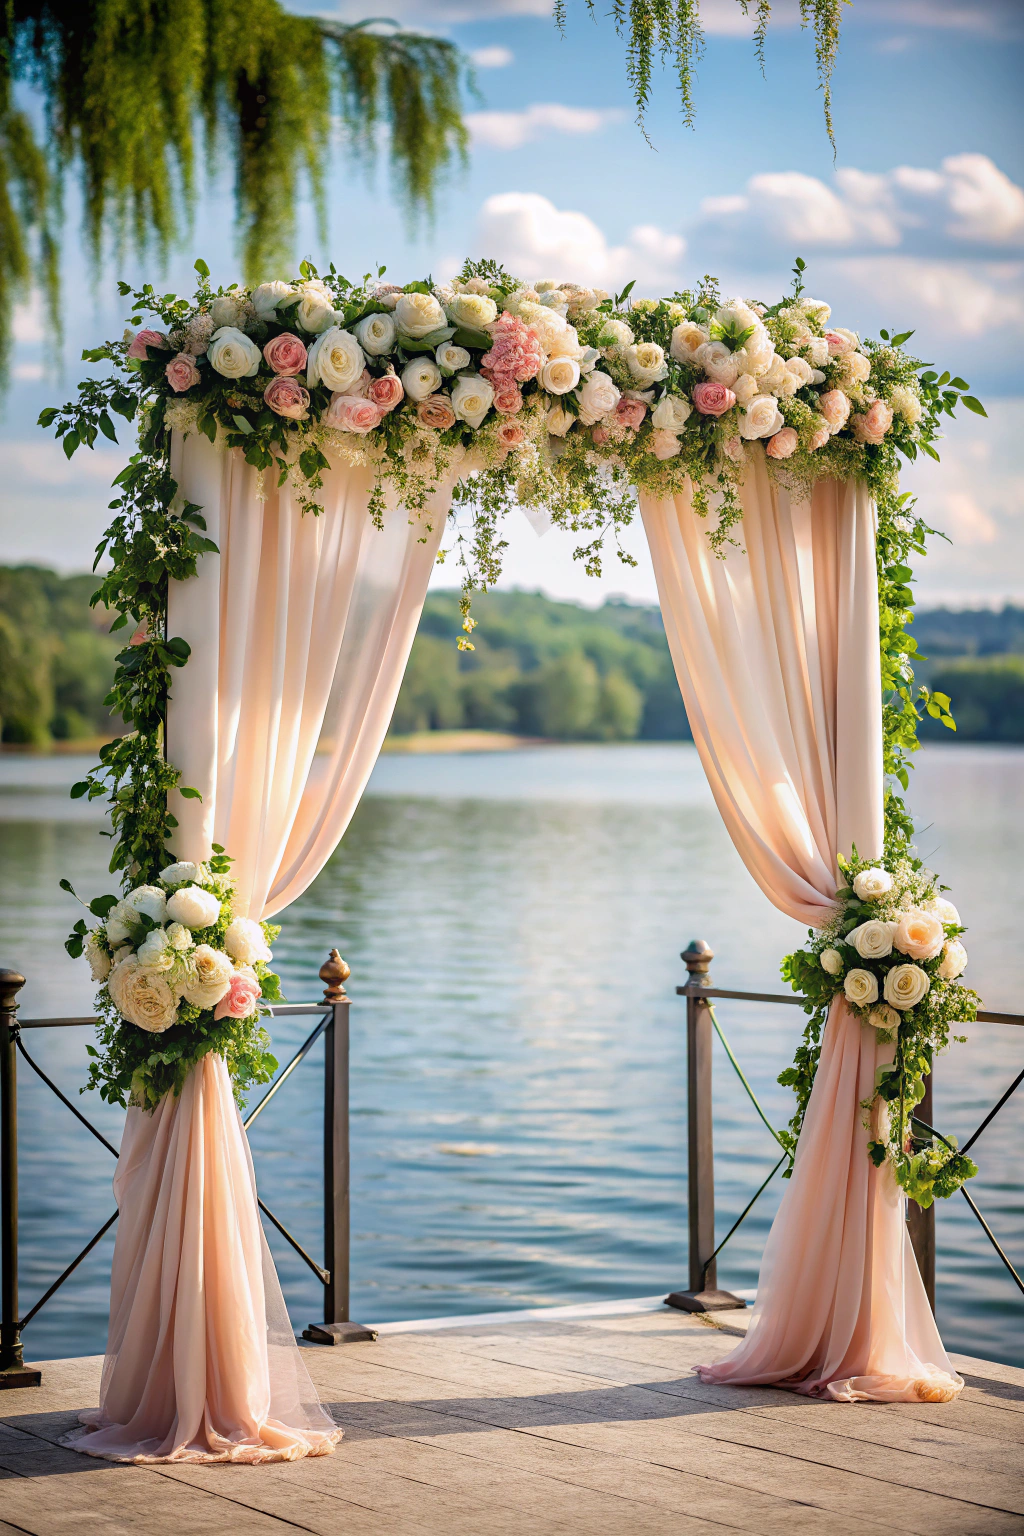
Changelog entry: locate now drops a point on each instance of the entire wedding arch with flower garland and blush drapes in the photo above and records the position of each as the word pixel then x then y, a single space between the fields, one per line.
pixel 302 448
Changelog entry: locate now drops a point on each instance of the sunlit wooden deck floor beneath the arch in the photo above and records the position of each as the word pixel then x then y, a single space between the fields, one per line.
pixel 537 1428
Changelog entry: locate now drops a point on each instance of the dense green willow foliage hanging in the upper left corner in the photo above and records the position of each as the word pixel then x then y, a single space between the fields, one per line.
pixel 125 84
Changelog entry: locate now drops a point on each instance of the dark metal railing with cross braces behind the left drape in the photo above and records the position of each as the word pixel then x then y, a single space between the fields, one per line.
pixel 332 1024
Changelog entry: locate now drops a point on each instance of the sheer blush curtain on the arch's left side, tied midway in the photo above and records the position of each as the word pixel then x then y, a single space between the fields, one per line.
pixel 300 634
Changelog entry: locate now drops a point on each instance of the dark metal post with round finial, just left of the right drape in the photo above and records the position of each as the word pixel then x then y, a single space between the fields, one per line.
pixel 702 1294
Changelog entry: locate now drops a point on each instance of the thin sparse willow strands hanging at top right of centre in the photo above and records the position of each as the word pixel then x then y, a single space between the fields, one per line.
pixel 670 31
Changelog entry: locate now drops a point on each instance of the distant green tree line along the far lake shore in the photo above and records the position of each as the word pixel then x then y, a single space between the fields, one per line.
pixel 540 669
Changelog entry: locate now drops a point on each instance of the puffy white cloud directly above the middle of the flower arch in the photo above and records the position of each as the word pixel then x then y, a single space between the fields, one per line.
pixel 535 240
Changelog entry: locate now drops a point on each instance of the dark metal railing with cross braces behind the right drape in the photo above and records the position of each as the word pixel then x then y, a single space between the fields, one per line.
pixel 702 1293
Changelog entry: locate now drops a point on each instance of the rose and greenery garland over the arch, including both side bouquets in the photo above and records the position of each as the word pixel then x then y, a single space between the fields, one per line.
pixel 550 396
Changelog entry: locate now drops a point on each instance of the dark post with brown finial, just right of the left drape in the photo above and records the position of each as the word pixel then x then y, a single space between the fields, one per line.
pixel 337 1328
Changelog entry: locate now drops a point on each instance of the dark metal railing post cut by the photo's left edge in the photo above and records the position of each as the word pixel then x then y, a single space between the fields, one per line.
pixel 13 1369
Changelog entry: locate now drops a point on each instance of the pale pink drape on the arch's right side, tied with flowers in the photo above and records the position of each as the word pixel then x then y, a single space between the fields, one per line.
pixel 776 650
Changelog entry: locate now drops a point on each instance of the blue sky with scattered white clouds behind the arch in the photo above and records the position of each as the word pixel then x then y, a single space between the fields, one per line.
pixel 920 223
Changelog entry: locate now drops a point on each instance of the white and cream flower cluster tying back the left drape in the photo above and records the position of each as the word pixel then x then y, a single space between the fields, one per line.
pixel 151 958
